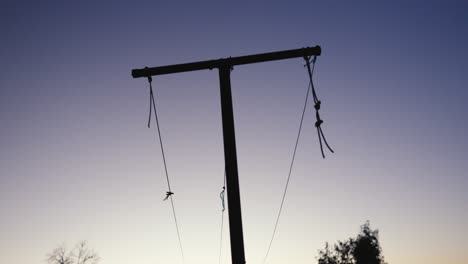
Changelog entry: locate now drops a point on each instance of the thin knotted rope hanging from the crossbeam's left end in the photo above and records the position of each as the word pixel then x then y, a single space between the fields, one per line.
pixel 169 193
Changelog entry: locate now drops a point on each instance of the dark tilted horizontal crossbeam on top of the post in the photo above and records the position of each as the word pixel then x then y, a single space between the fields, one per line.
pixel 227 62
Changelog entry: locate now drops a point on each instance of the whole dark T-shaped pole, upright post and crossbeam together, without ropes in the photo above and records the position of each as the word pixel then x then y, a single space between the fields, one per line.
pixel 230 154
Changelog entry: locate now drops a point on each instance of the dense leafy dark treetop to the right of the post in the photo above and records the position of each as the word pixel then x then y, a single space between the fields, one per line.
pixel 364 249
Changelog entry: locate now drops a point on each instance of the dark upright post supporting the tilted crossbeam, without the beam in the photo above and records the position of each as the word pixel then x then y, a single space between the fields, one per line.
pixel 232 177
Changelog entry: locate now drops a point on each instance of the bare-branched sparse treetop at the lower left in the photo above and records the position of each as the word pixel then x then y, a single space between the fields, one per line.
pixel 81 254
